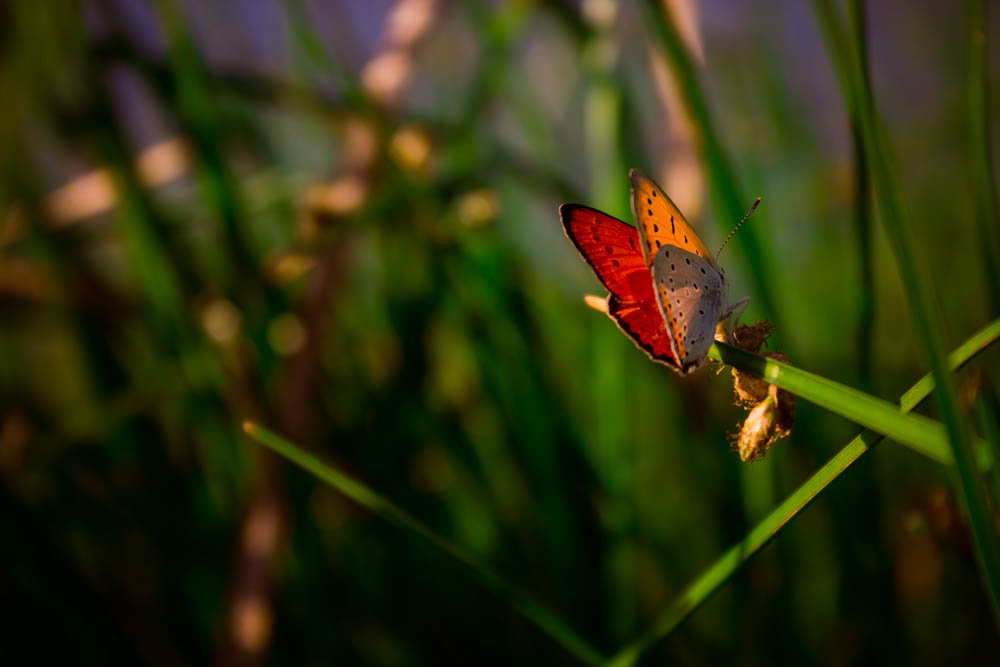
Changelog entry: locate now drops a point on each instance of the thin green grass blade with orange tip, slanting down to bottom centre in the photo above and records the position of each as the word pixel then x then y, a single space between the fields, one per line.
pixel 377 504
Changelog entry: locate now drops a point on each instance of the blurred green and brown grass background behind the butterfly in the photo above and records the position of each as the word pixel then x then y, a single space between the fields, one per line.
pixel 338 219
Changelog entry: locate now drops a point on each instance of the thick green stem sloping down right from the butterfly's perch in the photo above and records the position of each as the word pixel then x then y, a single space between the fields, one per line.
pixel 915 431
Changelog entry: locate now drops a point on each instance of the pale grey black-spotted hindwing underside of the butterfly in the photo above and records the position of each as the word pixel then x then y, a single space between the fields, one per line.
pixel 692 294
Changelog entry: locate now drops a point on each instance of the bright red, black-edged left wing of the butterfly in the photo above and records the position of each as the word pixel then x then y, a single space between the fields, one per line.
pixel 611 247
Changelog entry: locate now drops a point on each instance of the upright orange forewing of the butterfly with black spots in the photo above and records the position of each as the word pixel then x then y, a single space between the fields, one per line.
pixel 660 222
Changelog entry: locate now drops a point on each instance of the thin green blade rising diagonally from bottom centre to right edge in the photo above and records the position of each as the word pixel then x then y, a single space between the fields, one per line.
pixel 730 562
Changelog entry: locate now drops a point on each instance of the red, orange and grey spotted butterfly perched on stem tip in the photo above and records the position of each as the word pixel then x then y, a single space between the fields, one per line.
pixel 667 292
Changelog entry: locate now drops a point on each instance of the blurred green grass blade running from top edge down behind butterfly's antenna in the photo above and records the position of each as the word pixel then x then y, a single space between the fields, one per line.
pixel 730 204
